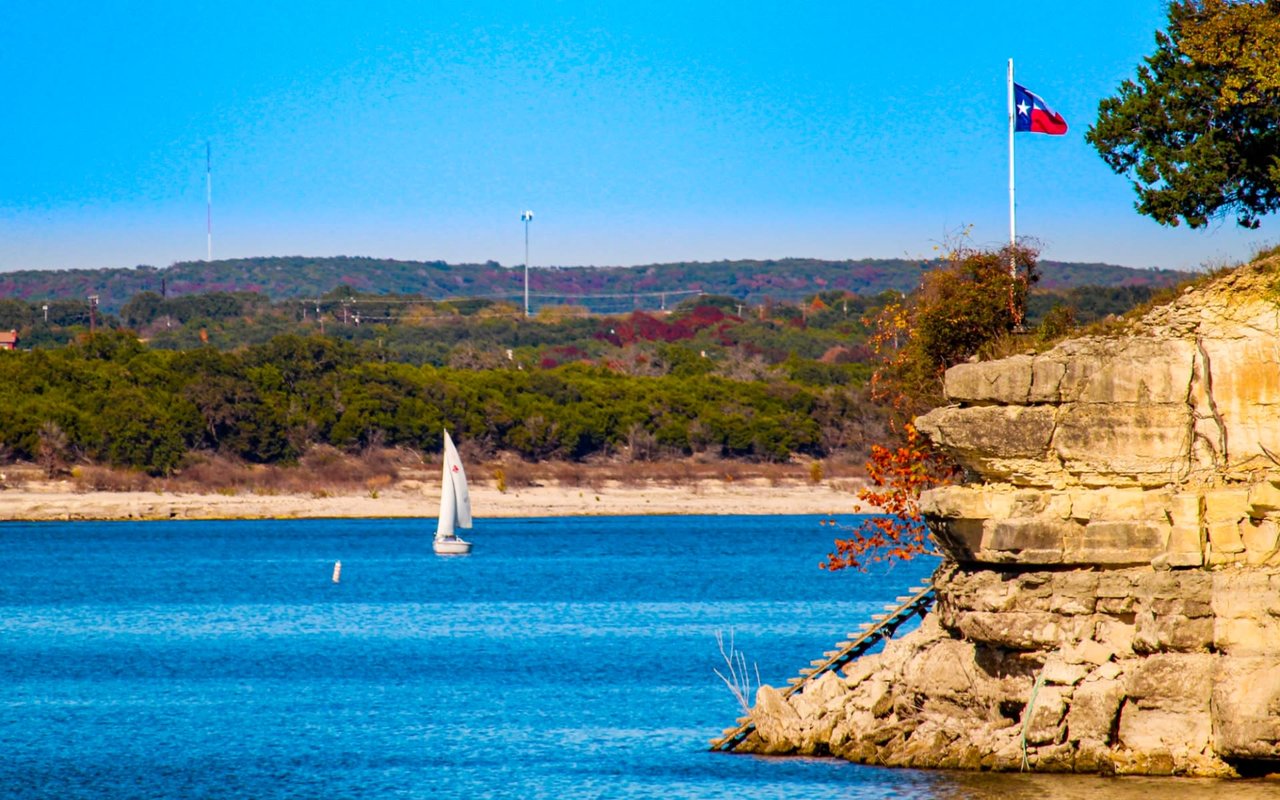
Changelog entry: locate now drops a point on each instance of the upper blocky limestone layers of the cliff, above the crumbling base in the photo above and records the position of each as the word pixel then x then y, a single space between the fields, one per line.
pixel 1159 447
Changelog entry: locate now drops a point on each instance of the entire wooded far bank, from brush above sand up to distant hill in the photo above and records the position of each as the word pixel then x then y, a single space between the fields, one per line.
pixel 239 376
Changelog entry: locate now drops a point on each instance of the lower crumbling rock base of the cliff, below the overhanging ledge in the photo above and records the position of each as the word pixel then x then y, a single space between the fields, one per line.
pixel 1118 671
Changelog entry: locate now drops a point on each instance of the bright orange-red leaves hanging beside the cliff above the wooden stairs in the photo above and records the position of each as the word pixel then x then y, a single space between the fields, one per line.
pixel 898 477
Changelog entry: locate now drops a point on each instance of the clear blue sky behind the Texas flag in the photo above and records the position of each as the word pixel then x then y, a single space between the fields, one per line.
pixel 637 132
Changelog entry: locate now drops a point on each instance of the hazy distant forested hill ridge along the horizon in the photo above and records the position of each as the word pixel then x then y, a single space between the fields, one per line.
pixel 749 281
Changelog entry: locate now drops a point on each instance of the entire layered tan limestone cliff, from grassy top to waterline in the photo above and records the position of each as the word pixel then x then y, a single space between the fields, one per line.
pixel 1112 596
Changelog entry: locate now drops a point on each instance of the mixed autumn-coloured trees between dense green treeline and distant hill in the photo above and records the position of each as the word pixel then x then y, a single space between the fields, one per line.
pixel 821 340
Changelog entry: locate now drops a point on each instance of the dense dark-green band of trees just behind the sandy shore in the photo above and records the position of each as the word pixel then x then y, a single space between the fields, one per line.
pixel 111 400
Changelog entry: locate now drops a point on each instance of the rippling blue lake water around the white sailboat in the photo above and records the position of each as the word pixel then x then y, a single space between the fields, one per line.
pixel 565 659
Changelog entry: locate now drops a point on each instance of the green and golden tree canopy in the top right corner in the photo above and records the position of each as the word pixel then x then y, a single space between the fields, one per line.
pixel 1199 131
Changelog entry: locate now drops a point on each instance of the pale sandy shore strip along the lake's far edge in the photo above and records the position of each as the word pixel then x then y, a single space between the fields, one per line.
pixel 412 500
